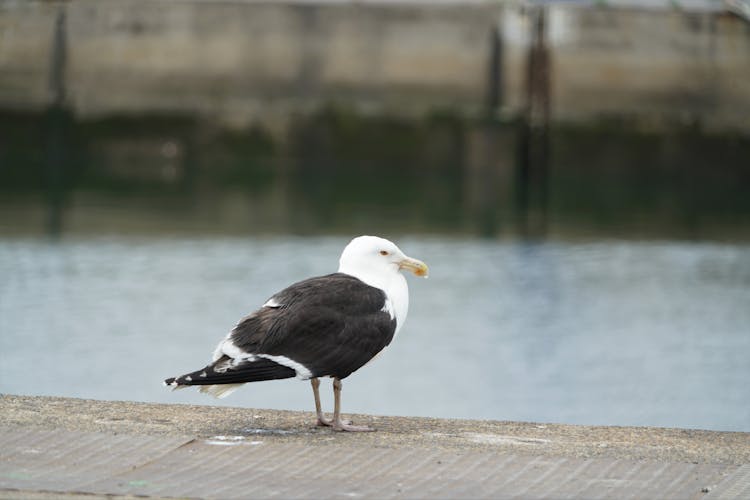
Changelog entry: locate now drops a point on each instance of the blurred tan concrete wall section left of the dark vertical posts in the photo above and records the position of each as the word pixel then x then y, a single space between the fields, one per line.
pixel 240 60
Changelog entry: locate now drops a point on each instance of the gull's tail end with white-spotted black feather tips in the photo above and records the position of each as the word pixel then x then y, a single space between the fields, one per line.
pixel 224 376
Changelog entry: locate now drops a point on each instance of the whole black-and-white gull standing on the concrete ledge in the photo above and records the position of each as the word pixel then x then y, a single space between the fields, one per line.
pixel 327 326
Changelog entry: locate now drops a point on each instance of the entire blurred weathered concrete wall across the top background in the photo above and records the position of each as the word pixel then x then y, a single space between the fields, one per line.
pixel 245 62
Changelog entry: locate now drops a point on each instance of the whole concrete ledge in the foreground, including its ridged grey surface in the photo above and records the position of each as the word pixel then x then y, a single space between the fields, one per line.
pixel 53 446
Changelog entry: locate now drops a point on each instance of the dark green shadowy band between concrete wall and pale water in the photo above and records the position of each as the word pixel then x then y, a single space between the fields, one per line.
pixel 339 172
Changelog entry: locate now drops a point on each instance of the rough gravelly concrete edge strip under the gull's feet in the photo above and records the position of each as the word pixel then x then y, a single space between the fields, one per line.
pixel 190 421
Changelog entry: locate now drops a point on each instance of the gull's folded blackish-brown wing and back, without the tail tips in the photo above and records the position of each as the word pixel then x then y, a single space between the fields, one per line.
pixel 331 325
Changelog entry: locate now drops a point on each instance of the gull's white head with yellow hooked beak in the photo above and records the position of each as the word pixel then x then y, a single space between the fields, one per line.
pixel 369 257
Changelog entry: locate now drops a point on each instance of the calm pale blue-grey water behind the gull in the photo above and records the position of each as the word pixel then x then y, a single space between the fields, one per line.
pixel 616 333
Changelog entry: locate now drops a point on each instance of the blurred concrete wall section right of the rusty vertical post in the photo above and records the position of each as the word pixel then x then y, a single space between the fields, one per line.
pixel 679 66
